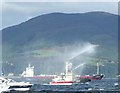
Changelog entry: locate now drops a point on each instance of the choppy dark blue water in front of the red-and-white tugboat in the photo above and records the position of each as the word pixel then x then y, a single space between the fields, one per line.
pixel 95 85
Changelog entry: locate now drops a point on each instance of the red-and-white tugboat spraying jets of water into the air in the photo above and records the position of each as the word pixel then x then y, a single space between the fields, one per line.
pixel 67 77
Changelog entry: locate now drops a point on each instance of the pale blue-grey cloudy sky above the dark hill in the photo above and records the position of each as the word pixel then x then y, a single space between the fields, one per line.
pixel 16 12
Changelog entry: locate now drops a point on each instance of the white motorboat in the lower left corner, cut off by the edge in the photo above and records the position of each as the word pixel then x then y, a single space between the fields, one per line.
pixel 11 85
